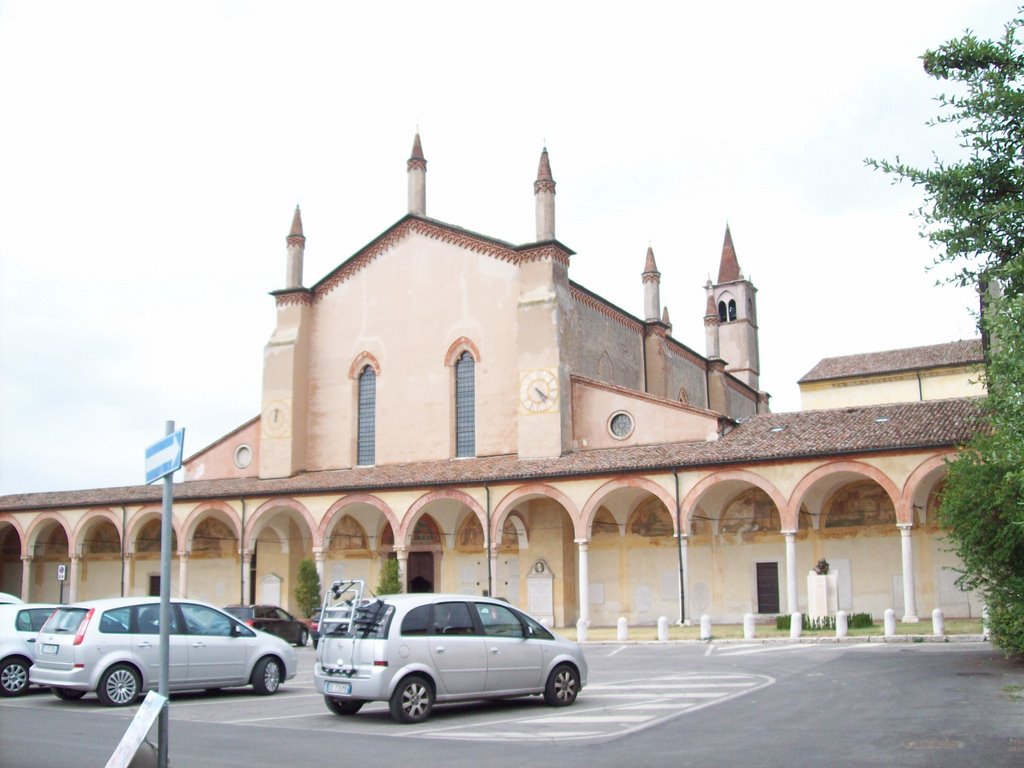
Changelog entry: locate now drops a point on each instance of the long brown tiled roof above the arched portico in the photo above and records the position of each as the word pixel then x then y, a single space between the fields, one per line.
pixel 769 438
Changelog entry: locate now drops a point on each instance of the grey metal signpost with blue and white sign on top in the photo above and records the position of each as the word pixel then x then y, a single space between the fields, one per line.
pixel 163 459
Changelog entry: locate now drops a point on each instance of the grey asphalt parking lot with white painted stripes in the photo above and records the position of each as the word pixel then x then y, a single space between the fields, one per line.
pixel 722 705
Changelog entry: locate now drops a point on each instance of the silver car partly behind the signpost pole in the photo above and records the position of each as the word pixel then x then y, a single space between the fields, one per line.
pixel 112 648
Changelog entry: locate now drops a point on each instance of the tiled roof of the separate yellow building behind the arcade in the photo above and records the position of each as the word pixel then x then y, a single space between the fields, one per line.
pixel 965 353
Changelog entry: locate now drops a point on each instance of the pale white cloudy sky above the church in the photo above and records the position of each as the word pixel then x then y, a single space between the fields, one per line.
pixel 152 155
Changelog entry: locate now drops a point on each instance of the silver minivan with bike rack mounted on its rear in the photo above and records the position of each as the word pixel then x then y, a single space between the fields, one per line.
pixel 413 651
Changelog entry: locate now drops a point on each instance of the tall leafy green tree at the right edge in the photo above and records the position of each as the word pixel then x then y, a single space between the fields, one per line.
pixel 973 214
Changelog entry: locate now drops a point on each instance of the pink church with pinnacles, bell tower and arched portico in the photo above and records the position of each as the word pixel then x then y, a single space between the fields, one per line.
pixel 522 437
